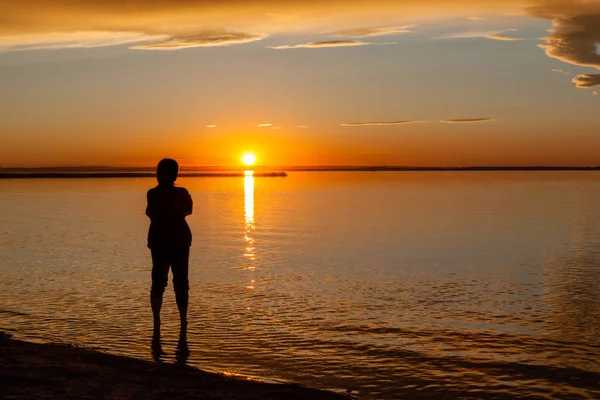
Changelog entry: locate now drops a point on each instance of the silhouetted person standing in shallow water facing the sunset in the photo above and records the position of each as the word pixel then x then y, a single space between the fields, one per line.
pixel 169 240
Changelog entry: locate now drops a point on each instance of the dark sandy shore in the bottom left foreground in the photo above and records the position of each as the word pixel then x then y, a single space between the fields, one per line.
pixel 49 371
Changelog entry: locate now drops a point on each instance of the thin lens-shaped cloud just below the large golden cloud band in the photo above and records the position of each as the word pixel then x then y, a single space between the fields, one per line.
pixel 207 39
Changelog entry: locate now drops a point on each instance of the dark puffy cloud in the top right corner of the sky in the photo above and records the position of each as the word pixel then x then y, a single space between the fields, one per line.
pixel 574 35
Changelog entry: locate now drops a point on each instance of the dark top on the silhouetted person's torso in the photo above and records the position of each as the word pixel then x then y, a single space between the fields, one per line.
pixel 167 208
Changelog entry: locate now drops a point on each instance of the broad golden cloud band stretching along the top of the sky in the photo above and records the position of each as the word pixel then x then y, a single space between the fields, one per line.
pixel 181 24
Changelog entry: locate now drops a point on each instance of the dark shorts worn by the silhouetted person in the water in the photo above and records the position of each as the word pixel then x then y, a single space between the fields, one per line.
pixel 177 260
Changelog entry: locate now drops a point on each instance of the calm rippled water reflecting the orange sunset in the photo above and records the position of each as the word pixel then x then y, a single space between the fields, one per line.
pixel 433 284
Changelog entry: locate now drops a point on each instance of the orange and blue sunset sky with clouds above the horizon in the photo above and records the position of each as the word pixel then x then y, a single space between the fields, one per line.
pixel 356 82
